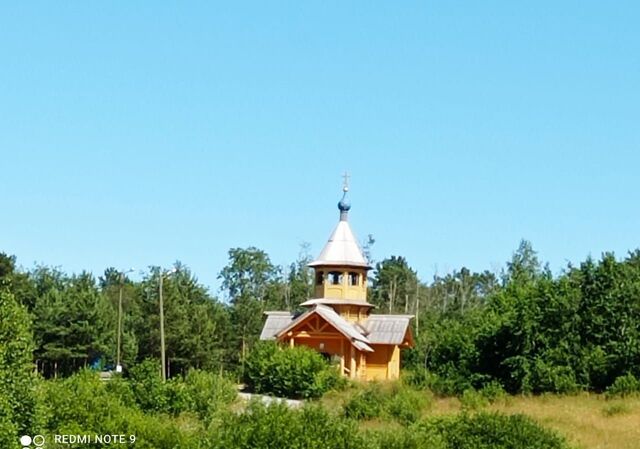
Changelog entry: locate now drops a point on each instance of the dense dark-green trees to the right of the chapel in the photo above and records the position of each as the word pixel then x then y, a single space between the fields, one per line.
pixel 533 332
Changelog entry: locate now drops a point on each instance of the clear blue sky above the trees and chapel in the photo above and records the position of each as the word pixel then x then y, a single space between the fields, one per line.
pixel 138 133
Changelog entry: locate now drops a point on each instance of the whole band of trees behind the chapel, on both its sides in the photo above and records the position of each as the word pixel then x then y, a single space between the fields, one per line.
pixel 523 328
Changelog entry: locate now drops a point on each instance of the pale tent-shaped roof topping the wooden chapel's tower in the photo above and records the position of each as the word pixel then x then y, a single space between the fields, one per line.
pixel 342 249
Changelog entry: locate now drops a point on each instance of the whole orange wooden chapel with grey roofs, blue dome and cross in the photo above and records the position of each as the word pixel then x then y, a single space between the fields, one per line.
pixel 338 321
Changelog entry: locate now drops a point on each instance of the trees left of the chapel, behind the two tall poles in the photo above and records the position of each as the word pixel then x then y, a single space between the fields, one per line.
pixel 74 317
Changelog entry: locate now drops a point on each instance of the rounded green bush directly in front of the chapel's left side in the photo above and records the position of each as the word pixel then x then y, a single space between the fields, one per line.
pixel 295 373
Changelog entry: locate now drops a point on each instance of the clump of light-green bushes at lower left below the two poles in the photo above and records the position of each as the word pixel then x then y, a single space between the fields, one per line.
pixel 142 406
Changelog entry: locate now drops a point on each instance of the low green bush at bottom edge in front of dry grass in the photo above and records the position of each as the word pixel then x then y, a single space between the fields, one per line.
pixel 494 431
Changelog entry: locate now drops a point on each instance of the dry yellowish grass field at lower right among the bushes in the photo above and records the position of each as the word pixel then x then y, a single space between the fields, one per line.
pixel 588 421
